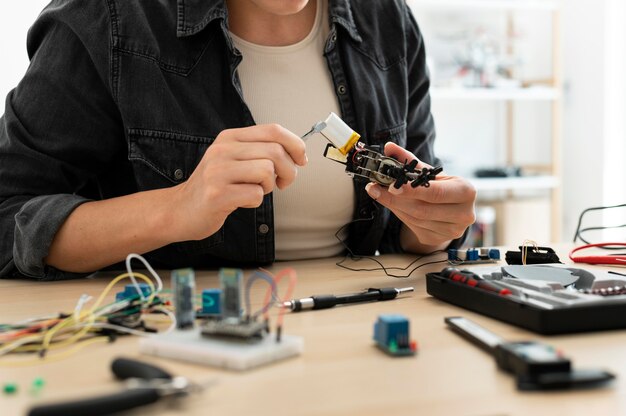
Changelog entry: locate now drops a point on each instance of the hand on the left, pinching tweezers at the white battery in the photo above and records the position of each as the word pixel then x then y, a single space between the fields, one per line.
pixel 237 170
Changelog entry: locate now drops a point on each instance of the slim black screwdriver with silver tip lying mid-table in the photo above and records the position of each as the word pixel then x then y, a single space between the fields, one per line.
pixel 328 301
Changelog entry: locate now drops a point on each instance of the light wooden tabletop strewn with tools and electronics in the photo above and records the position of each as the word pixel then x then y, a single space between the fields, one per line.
pixel 340 372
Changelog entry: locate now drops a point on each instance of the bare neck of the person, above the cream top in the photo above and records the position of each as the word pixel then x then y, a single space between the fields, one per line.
pixel 263 27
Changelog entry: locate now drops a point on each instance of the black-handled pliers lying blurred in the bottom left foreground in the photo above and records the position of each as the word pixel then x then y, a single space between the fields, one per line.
pixel 145 384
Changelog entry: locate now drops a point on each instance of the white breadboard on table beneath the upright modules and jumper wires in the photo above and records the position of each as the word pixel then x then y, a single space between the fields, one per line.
pixel 192 347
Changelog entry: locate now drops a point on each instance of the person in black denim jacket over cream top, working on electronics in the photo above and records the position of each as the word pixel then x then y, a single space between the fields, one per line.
pixel 172 128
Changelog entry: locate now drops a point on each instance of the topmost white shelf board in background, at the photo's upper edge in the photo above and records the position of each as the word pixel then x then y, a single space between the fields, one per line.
pixel 486 4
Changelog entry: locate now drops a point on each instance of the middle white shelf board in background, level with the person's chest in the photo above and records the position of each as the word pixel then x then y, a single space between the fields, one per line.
pixel 501 94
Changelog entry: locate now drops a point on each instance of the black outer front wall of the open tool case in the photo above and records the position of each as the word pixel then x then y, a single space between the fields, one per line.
pixel 515 311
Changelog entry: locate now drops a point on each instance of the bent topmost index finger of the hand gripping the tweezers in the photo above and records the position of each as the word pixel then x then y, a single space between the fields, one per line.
pixel 293 145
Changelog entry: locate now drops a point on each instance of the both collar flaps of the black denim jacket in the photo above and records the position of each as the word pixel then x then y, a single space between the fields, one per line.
pixel 195 15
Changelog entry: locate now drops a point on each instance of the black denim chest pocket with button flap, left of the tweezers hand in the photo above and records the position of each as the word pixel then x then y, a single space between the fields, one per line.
pixel 162 159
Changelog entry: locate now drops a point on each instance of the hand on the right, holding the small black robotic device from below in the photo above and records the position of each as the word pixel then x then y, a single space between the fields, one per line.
pixel 434 215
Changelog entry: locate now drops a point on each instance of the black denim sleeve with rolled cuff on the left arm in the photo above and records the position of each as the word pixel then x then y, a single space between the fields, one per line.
pixel 56 133
